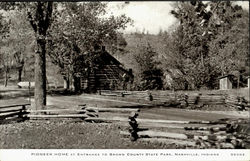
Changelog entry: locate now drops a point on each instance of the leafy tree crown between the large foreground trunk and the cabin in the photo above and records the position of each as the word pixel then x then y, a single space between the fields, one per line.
pixel 78 29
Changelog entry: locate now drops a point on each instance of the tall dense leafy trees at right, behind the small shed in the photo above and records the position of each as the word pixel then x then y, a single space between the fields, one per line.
pixel 208 42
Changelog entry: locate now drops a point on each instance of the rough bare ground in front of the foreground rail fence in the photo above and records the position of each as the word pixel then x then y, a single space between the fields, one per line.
pixel 61 134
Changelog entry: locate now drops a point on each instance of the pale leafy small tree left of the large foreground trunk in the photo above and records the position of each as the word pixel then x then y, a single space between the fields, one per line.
pixel 21 40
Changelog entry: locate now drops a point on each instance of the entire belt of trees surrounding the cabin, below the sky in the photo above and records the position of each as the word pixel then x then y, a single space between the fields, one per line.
pixel 209 40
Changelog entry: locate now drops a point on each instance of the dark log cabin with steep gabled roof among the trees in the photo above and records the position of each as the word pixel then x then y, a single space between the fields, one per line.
pixel 105 73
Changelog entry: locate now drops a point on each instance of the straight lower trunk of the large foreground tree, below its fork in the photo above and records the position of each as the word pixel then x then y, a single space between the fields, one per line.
pixel 40 74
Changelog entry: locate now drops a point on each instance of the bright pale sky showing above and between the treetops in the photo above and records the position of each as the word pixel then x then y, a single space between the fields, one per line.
pixel 150 16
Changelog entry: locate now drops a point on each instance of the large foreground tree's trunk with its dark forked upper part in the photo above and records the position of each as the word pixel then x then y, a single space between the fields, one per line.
pixel 40 21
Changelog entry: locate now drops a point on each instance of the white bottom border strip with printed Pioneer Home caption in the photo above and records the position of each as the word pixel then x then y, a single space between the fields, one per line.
pixel 124 155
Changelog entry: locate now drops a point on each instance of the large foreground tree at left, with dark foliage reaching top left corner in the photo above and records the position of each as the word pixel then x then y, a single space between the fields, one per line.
pixel 39 15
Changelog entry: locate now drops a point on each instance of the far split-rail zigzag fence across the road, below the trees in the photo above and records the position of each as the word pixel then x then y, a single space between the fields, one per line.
pixel 182 100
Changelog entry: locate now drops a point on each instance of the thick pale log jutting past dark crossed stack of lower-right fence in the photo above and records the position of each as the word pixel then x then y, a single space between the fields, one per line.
pixel 157 134
